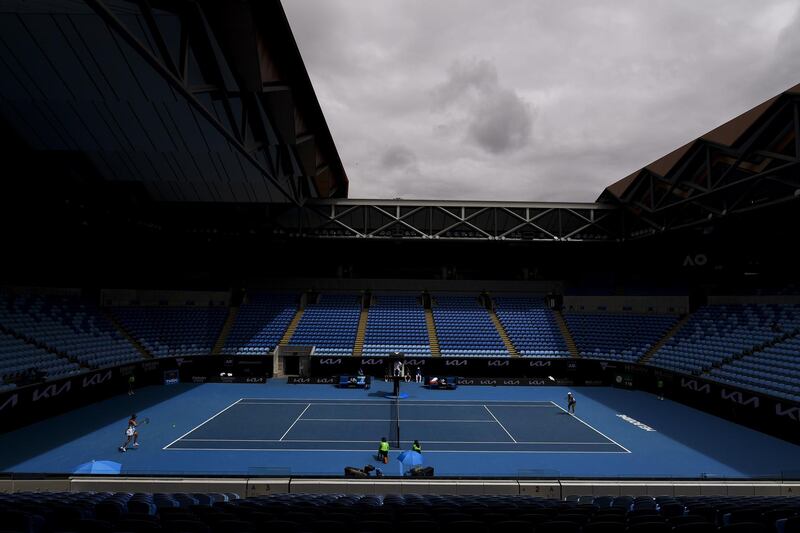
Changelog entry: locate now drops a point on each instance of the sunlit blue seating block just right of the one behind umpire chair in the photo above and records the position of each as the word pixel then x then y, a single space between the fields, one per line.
pixel 465 329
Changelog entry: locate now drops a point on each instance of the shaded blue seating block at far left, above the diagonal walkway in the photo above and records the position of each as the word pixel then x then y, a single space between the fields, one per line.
pixel 68 326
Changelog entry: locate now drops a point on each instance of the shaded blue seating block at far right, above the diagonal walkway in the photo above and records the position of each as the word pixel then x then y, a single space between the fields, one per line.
pixel 716 332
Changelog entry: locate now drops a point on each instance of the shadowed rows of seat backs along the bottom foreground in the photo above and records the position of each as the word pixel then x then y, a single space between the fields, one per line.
pixel 84 512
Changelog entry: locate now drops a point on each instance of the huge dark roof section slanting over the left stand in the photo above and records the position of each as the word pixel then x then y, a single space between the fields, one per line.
pixel 196 101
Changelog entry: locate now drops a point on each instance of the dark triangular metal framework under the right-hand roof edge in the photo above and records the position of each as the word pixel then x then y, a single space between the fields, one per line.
pixel 712 181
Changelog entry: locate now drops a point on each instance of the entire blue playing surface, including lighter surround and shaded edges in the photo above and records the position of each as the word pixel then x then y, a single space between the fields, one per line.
pixel 281 429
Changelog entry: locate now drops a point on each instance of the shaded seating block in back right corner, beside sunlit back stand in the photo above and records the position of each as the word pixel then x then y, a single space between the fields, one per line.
pixel 617 336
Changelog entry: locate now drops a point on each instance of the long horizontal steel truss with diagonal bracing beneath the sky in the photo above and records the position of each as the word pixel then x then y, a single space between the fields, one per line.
pixel 426 219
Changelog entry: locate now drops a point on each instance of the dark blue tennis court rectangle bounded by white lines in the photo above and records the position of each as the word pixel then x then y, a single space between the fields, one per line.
pixel 253 424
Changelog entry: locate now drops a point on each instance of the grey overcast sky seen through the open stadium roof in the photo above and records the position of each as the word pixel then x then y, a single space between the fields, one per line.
pixel 533 100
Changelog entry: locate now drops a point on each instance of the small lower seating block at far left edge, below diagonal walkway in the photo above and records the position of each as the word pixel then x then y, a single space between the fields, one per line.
pixel 18 356
